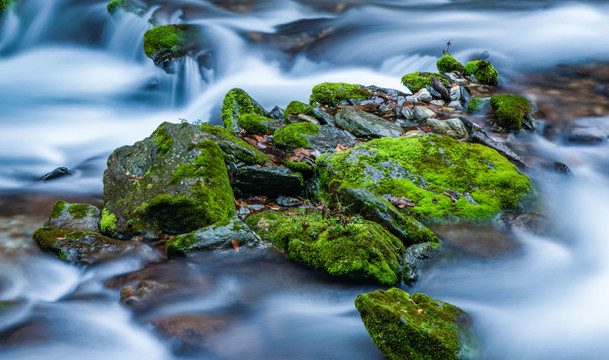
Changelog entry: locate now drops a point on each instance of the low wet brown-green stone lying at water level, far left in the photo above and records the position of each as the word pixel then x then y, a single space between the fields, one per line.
pixel 87 247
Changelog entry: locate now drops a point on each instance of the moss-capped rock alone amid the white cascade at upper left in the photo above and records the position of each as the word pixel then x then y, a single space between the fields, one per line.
pixel 166 43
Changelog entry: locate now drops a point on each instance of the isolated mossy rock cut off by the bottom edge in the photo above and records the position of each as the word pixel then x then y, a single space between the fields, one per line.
pixel 414 327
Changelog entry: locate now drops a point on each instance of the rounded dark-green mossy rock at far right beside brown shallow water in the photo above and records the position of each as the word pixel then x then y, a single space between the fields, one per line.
pixel 511 110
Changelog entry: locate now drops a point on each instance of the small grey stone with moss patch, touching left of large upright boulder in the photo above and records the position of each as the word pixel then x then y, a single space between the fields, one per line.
pixel 68 216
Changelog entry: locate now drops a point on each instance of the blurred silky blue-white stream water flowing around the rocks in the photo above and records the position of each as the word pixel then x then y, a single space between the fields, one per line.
pixel 74 85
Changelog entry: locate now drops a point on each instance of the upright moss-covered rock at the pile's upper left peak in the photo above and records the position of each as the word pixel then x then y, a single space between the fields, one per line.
pixel 236 103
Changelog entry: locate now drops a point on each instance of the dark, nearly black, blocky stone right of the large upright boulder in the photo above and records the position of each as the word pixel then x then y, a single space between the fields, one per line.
pixel 267 180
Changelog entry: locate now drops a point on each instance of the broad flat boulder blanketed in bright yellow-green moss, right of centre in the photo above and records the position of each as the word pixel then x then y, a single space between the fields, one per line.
pixel 446 180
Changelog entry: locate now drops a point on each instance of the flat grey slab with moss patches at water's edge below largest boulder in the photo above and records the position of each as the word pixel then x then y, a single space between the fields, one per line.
pixel 231 235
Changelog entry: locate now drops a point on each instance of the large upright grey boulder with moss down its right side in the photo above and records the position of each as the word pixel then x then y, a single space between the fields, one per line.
pixel 174 181
